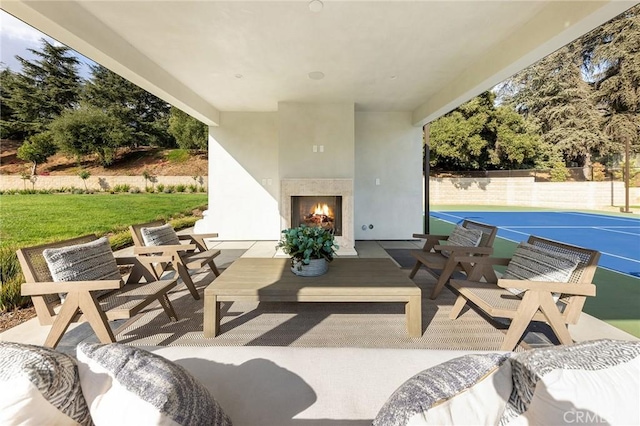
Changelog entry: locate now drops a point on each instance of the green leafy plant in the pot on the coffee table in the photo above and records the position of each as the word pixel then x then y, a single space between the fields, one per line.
pixel 306 242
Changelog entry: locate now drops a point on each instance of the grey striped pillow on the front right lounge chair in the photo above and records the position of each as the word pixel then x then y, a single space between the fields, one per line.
pixel 533 263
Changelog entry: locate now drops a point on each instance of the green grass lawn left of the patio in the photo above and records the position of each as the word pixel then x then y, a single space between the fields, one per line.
pixel 31 219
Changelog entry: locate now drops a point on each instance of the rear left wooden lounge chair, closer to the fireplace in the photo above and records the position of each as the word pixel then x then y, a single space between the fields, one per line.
pixel 183 257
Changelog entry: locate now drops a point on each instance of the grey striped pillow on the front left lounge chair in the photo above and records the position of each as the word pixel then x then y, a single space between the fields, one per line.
pixel 83 262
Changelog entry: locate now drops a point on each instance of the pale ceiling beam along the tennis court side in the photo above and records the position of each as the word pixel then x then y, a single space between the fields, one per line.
pixel 556 25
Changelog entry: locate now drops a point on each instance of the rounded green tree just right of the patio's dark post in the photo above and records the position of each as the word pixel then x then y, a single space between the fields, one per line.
pixel 480 136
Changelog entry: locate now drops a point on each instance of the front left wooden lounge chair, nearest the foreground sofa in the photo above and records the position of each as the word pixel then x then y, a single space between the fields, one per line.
pixel 94 301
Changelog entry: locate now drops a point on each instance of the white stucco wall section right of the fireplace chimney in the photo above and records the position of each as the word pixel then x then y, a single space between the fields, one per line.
pixel 388 148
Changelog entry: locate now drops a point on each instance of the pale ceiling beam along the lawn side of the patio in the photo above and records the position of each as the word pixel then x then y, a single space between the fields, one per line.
pixel 92 38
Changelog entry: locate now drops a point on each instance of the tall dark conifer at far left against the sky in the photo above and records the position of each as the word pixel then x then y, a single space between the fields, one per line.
pixel 44 88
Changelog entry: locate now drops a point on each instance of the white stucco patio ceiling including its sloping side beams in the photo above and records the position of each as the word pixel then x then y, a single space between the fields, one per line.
pixel 420 56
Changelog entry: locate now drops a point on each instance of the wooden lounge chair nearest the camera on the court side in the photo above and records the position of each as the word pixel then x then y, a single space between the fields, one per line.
pixel 536 302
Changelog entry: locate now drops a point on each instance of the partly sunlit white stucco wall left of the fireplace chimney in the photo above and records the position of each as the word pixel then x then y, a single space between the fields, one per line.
pixel 243 180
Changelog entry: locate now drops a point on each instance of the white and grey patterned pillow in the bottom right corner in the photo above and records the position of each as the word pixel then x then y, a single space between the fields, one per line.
pixel 595 382
